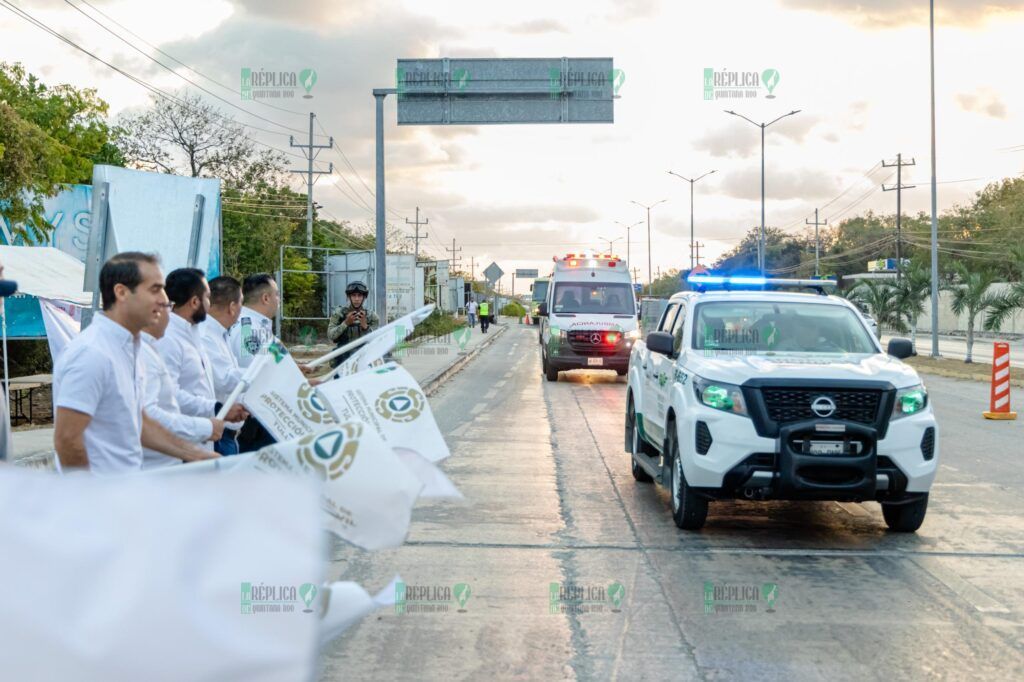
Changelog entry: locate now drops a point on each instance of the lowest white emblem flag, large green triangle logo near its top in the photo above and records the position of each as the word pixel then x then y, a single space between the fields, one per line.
pixel 368 493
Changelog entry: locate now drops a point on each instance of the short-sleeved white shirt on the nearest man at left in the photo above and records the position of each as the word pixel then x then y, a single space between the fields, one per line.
pixel 101 374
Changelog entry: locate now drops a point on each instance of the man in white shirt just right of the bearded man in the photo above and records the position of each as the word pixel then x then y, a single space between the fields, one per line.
pixel 226 308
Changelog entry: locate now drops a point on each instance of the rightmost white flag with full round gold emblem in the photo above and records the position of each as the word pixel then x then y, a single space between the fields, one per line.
pixel 392 402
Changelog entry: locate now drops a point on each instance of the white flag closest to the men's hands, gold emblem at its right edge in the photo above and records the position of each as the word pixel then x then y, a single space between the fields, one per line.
pixel 282 399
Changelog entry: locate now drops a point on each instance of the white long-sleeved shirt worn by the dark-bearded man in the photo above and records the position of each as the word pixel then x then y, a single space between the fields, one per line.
pixel 189 367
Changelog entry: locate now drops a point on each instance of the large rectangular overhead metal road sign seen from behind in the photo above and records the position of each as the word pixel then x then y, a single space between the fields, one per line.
pixel 492 92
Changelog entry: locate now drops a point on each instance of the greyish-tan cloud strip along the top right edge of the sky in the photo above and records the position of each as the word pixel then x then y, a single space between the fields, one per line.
pixel 889 14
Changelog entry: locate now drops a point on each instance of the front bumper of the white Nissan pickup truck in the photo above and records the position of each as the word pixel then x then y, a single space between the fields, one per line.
pixel 739 462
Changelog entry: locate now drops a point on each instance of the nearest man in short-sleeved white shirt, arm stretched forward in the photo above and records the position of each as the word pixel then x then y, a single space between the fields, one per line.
pixel 100 422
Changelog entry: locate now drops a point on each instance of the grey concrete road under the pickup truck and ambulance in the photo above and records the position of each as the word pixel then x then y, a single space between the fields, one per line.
pixel 549 499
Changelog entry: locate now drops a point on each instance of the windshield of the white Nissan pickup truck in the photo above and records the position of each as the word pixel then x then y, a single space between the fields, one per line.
pixel 766 328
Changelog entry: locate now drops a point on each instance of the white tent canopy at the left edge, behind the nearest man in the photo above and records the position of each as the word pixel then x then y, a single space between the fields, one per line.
pixel 46 273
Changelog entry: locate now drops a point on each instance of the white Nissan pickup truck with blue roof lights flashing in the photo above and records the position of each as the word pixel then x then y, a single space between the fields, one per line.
pixel 761 394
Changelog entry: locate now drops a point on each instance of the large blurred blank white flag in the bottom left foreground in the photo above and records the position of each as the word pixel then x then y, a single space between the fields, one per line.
pixel 157 579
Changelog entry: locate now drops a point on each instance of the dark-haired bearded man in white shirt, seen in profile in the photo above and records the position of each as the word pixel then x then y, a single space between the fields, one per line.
pixel 182 349
